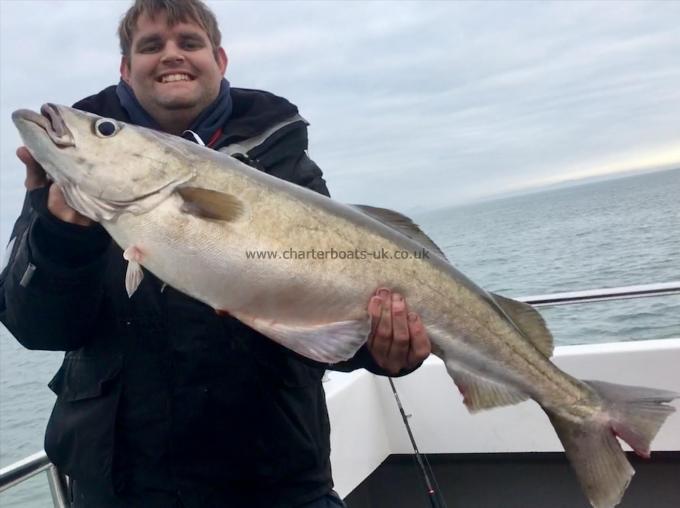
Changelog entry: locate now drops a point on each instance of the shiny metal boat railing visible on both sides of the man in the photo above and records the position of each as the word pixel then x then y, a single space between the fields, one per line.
pixel 37 463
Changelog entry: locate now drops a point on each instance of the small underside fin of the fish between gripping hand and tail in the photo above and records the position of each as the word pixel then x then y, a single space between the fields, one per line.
pixel 480 393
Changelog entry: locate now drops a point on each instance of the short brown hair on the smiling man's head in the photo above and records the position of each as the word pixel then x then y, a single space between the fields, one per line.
pixel 177 11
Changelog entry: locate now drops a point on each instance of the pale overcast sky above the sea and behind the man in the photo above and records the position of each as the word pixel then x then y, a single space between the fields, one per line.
pixel 411 105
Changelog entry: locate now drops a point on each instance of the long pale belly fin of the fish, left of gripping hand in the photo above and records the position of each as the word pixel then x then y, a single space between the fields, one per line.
pixel 327 343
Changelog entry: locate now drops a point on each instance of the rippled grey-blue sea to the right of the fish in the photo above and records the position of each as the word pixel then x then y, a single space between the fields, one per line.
pixel 613 233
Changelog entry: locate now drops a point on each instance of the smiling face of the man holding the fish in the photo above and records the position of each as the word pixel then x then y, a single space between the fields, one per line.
pixel 172 69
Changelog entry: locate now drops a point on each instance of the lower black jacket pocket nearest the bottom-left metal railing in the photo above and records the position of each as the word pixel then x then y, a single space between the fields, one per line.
pixel 80 434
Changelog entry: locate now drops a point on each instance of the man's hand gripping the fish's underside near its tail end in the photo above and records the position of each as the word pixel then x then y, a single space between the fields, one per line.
pixel 398 338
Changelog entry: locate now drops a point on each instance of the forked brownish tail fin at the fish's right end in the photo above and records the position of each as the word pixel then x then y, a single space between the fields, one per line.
pixel 632 413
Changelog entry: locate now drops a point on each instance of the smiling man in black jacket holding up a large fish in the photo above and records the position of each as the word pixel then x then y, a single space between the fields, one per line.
pixel 161 402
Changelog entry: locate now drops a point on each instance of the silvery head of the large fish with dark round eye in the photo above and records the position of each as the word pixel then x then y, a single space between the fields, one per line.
pixel 105 167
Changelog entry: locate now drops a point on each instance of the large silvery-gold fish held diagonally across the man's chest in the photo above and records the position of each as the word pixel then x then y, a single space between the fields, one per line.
pixel 197 218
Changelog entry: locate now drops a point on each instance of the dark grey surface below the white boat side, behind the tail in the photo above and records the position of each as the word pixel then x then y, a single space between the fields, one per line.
pixel 531 480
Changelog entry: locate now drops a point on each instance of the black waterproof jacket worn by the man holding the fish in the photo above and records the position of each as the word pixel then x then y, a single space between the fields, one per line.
pixel 157 391
